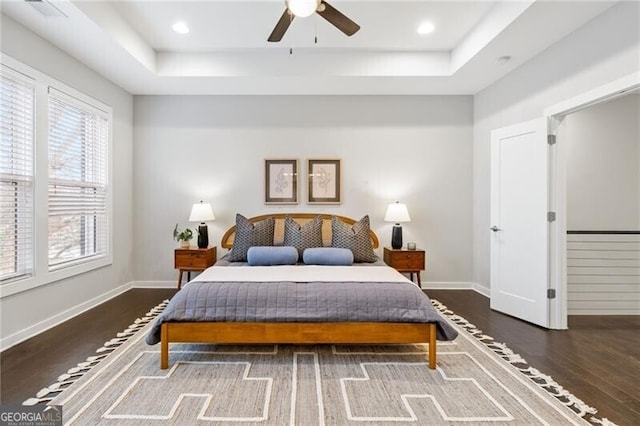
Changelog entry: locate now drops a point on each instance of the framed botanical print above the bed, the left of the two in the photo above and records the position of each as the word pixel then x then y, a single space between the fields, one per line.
pixel 281 181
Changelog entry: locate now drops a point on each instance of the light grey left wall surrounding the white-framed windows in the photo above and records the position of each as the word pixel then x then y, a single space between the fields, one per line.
pixel 29 312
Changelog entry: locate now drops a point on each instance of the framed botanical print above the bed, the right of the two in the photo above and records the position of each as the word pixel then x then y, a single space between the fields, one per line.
pixel 324 186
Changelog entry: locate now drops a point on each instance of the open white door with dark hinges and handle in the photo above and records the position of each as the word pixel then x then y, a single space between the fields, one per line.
pixel 519 238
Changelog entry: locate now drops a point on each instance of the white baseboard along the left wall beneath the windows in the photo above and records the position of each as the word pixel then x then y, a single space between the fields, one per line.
pixel 35 329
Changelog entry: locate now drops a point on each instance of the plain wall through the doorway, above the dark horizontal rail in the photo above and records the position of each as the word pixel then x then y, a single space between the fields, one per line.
pixel 603 166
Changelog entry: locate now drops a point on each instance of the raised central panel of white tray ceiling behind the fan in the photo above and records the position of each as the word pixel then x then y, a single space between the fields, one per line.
pixel 246 25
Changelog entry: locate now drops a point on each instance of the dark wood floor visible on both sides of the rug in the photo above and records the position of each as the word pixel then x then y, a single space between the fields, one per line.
pixel 598 358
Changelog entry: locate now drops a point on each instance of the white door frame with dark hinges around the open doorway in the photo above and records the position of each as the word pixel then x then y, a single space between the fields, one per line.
pixel 558 310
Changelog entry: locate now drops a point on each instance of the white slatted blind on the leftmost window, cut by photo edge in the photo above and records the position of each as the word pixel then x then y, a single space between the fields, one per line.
pixel 16 176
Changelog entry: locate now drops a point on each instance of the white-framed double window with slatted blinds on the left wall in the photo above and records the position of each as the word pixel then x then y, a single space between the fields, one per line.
pixel 55 180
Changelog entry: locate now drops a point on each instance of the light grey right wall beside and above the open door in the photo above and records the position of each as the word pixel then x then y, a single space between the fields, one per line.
pixel 602 51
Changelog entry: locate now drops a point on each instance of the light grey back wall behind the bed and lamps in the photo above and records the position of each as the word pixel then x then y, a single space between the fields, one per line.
pixel 413 149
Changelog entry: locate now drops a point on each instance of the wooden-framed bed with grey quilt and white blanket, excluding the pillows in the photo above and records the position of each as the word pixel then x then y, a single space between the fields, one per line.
pixel 234 302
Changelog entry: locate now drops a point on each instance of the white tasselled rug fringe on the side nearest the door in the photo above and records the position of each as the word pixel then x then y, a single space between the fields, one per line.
pixel 544 381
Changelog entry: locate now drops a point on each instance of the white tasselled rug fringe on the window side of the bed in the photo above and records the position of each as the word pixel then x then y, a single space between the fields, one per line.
pixel 48 393
